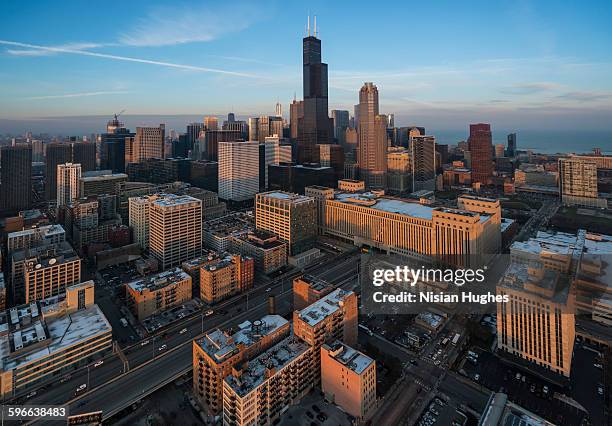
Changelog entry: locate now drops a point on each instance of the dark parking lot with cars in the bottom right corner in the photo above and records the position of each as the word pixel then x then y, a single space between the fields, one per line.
pixel 531 391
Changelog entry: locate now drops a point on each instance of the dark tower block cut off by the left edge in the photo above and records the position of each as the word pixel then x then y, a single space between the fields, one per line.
pixel 15 177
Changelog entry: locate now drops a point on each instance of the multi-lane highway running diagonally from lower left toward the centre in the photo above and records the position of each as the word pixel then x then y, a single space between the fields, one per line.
pixel 111 388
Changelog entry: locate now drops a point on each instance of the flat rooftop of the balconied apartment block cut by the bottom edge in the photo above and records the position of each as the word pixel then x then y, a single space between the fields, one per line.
pixel 274 359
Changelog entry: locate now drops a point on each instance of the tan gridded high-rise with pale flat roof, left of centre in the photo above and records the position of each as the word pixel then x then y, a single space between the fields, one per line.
pixel 175 229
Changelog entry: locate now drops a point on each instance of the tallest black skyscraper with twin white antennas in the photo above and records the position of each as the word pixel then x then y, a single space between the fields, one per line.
pixel 315 127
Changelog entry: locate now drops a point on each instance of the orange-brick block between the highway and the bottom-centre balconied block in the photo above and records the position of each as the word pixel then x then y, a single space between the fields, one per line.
pixel 218 352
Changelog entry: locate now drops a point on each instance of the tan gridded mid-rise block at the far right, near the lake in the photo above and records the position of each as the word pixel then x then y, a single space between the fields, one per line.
pixel 578 183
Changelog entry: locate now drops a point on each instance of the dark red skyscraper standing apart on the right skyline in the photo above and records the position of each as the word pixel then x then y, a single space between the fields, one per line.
pixel 481 150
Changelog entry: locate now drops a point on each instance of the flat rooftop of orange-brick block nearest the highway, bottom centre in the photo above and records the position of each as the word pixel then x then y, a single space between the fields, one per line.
pixel 220 345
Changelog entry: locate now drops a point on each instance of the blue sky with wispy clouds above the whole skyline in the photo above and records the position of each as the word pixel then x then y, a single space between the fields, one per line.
pixel 518 64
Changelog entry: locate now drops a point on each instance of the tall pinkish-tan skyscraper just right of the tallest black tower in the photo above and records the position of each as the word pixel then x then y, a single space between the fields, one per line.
pixel 372 151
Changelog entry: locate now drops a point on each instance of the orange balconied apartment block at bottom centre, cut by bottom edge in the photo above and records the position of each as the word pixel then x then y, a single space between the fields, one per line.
pixel 259 391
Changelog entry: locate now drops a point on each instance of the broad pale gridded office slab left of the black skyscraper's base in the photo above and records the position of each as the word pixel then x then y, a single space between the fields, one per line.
pixel 238 170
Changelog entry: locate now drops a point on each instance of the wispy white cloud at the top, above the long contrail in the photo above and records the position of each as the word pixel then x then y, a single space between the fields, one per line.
pixel 164 26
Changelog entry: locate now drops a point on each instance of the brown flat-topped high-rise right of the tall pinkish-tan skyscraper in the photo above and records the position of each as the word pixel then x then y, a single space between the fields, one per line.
pixel 423 156
